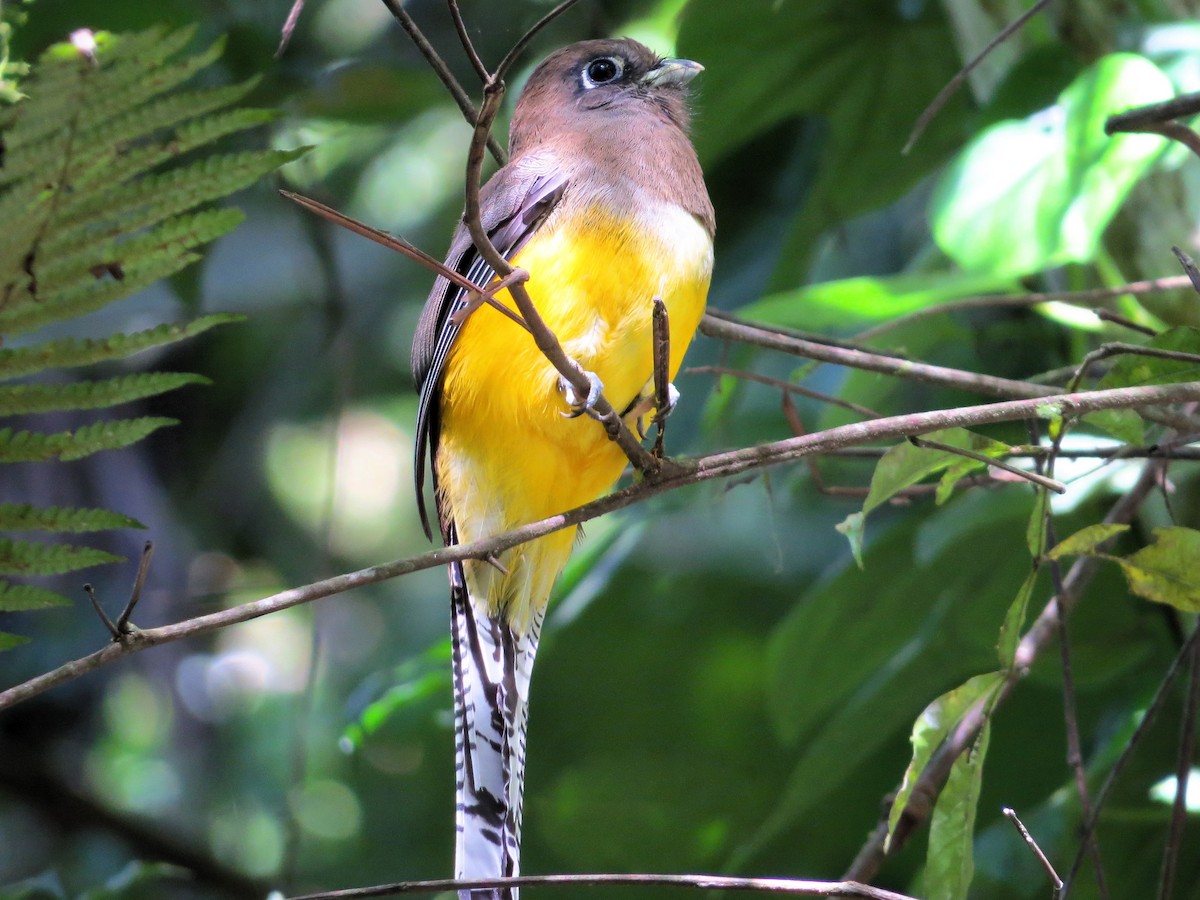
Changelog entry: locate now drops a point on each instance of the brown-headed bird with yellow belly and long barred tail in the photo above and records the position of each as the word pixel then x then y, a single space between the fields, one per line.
pixel 604 205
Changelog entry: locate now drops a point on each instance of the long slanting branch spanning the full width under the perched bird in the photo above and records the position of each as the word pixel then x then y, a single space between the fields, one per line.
pixel 686 472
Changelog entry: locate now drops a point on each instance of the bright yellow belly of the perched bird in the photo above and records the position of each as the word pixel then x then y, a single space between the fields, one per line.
pixel 507 455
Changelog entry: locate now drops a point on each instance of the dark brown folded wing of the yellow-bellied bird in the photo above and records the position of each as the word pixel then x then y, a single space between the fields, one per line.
pixel 514 203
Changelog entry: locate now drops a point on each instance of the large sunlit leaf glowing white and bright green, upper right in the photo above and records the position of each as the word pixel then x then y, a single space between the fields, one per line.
pixel 1040 193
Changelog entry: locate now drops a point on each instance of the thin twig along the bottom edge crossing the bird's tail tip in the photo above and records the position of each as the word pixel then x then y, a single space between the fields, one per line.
pixel 704 883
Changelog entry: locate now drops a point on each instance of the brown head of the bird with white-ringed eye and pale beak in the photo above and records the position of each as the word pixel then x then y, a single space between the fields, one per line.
pixel 601 86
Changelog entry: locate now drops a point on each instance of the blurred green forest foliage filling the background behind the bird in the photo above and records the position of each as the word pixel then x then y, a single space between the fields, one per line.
pixel 722 687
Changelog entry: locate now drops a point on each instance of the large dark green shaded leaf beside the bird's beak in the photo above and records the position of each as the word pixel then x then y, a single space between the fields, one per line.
pixel 829 62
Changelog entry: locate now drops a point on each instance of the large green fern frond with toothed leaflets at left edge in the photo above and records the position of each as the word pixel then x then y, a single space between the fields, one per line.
pixel 105 172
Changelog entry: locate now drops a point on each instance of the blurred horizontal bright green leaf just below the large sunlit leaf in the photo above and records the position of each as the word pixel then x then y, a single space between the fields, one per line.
pixel 850 302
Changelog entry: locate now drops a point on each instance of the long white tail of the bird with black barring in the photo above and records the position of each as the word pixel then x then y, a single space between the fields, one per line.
pixel 493 665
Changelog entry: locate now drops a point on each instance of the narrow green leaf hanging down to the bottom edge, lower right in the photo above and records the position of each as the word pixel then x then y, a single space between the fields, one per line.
pixel 950 863
